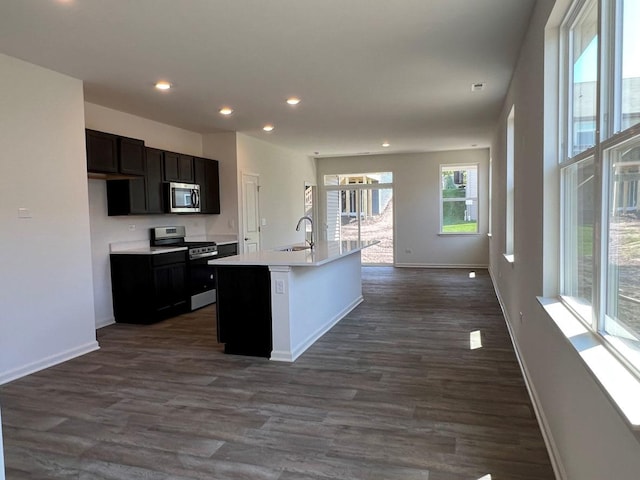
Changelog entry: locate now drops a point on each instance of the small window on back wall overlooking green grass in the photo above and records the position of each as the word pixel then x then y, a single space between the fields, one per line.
pixel 459 199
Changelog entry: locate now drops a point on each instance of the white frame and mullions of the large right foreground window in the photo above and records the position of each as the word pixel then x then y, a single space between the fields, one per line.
pixel 608 117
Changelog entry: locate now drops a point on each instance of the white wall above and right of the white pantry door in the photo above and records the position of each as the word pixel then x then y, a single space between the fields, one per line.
pixel 283 174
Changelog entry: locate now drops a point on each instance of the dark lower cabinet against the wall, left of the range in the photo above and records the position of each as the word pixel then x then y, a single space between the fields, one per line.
pixel 148 288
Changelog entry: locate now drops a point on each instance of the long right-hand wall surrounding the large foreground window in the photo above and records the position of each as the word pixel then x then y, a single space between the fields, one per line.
pixel 589 439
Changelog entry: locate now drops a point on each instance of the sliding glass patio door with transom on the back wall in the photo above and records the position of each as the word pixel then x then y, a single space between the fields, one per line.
pixel 360 207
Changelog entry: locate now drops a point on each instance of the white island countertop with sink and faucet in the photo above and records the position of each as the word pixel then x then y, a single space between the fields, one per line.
pixel 323 252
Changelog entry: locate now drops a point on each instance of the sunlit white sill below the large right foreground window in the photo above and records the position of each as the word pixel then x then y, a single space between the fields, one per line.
pixel 616 381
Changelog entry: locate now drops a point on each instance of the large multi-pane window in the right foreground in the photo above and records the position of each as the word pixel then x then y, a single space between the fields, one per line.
pixel 600 171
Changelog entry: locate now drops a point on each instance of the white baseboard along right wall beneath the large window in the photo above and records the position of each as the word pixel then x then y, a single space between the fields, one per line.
pixel 552 450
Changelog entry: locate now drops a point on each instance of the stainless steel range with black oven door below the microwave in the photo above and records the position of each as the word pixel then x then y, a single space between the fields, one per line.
pixel 201 280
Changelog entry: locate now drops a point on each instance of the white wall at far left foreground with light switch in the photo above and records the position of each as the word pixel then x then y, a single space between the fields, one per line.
pixel 46 294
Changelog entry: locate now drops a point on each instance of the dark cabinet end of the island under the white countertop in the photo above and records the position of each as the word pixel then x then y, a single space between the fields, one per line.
pixel 243 310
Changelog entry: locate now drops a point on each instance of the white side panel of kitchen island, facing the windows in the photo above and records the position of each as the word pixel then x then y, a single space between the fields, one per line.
pixel 317 298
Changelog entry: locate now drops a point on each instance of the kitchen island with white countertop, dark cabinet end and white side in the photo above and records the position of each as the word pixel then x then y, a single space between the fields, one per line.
pixel 277 303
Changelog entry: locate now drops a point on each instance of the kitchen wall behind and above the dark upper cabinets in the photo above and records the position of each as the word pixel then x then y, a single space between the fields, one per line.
pixel 105 229
